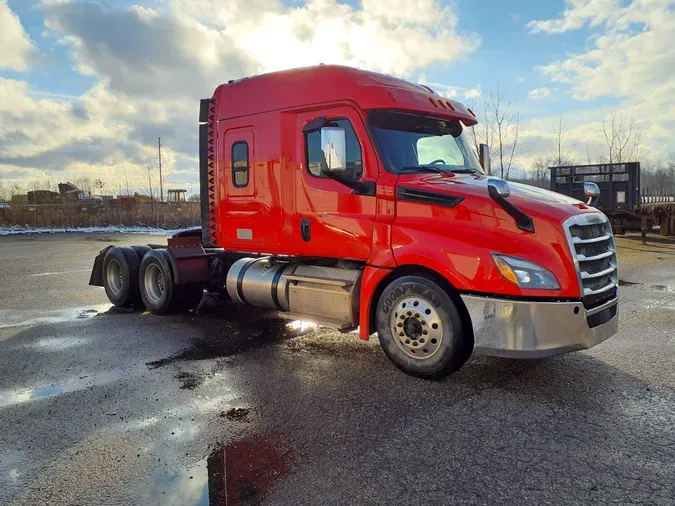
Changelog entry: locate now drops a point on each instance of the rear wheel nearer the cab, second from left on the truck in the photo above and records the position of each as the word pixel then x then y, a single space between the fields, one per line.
pixel 158 291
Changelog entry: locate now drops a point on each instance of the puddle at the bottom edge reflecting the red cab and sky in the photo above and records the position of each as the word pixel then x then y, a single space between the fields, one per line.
pixel 238 474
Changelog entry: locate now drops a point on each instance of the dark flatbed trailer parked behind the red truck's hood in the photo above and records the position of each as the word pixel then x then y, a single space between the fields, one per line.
pixel 626 204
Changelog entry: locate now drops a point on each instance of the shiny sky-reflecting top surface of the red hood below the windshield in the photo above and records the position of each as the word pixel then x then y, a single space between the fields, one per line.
pixel 534 201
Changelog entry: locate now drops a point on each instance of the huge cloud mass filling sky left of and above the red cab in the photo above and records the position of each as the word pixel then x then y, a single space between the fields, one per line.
pixel 152 65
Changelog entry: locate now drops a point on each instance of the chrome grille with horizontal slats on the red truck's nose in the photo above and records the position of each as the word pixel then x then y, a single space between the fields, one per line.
pixel 592 244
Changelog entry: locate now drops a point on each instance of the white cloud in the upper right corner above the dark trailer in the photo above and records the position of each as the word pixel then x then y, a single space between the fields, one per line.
pixel 630 56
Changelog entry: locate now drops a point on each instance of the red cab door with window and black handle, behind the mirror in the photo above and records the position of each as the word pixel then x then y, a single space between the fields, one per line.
pixel 331 219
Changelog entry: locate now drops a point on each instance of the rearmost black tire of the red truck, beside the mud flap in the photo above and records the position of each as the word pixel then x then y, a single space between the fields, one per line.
pixel 120 276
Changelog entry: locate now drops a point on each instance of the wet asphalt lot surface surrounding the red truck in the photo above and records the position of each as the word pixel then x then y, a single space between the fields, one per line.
pixel 235 406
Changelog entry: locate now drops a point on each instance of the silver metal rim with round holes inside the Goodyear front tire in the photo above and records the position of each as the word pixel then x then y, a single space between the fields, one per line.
pixel 416 327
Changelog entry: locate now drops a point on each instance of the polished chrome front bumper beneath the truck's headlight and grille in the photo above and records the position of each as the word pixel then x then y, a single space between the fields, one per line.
pixel 527 329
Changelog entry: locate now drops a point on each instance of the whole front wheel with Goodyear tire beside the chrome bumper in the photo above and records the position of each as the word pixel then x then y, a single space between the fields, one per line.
pixel 420 328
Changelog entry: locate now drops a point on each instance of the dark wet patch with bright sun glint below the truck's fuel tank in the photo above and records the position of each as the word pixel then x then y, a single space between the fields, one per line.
pixel 229 329
